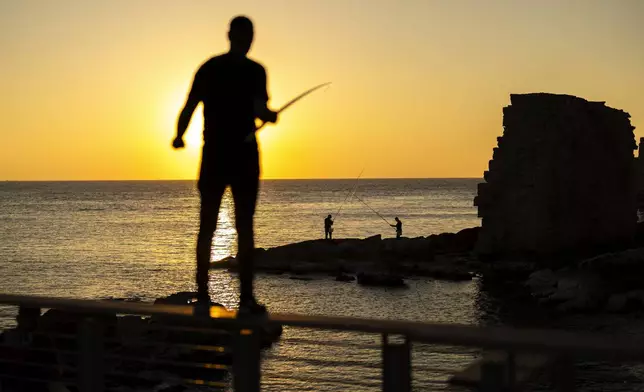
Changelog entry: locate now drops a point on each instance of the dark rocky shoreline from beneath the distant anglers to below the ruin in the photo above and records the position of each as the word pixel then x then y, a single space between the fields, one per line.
pixel 585 282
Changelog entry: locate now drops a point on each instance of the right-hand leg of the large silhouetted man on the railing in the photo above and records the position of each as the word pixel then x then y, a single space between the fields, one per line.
pixel 244 189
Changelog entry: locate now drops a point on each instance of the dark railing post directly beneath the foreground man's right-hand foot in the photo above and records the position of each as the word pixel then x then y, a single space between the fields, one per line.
pixel 246 361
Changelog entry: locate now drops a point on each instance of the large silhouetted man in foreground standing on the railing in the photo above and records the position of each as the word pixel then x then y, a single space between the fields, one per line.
pixel 233 91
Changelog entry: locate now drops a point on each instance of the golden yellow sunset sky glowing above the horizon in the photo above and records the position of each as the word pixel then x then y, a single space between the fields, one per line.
pixel 91 89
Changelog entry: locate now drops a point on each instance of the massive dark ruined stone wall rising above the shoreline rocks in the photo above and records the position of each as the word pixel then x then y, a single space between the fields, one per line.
pixel 561 179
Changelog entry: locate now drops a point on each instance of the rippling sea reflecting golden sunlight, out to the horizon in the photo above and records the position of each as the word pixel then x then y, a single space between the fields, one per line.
pixel 135 240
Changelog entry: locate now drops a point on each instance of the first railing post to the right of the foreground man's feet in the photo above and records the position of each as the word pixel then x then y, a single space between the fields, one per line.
pixel 396 365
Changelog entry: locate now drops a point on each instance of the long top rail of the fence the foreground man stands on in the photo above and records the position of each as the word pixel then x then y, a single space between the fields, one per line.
pixel 447 334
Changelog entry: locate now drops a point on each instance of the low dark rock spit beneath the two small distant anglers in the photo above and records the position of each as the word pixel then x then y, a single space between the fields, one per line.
pixel 445 256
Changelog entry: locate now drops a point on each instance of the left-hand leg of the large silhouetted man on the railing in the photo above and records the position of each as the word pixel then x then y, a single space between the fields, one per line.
pixel 211 194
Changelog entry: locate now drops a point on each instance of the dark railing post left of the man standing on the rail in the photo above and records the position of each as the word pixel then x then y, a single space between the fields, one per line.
pixel 91 369
